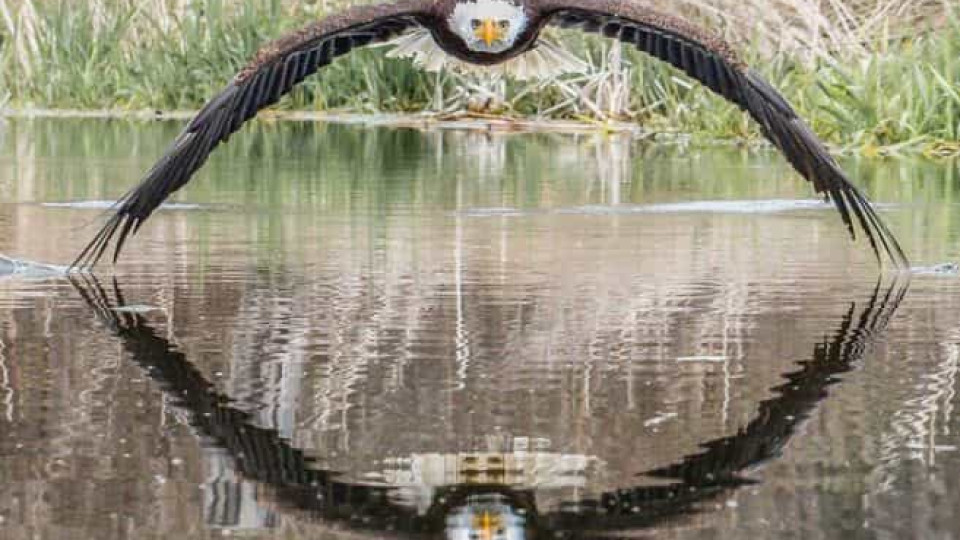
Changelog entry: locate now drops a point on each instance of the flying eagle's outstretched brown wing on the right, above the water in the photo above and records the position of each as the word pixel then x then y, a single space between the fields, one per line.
pixel 711 61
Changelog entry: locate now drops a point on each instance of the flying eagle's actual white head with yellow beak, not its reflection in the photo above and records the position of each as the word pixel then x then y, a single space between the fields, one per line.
pixel 490 26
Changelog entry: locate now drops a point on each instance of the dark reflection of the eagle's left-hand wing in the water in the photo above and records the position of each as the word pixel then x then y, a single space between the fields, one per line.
pixel 259 453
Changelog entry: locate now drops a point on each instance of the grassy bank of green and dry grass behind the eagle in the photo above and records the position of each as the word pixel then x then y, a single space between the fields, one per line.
pixel 863 87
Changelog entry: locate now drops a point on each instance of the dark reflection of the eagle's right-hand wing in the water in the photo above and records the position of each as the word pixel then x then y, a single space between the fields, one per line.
pixel 720 467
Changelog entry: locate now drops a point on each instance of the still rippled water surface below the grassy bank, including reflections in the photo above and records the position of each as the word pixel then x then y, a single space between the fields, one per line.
pixel 367 332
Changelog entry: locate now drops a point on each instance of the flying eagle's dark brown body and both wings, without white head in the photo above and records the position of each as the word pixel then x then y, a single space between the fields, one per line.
pixel 280 65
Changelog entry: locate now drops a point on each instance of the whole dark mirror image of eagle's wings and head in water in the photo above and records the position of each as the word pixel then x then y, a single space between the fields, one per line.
pixel 488 510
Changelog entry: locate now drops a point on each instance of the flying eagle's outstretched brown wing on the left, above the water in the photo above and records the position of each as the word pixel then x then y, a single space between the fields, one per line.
pixel 272 73
